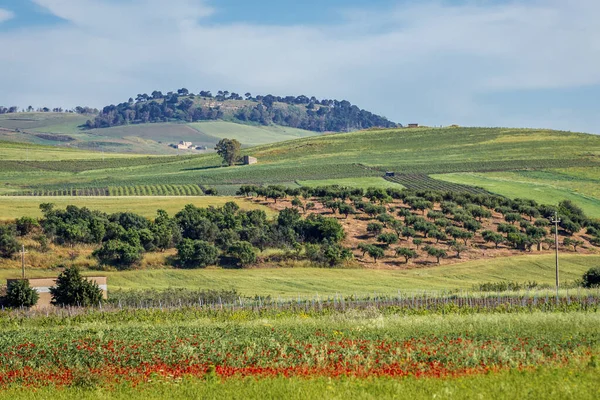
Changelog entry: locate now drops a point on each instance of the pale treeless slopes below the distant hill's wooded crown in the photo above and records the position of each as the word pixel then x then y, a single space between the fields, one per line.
pixel 67 130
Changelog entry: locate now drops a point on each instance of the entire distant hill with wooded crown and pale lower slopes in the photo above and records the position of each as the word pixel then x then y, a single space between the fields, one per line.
pixel 154 124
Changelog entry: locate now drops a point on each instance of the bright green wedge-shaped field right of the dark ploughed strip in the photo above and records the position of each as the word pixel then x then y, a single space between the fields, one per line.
pixel 549 187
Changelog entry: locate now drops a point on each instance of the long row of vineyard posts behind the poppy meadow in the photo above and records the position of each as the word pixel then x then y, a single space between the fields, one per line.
pixel 400 303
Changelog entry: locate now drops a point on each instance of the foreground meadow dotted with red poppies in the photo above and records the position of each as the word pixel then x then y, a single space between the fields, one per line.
pixel 357 353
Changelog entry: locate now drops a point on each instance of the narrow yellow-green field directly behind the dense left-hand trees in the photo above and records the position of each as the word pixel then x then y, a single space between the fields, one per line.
pixel 14 207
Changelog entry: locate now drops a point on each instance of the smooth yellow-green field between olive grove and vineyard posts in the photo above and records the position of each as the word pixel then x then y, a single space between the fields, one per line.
pixel 292 282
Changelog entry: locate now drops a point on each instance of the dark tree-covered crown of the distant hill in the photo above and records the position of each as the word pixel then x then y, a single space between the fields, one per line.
pixel 301 112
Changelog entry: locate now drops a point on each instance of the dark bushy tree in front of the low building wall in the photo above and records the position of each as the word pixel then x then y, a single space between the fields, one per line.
pixel 72 289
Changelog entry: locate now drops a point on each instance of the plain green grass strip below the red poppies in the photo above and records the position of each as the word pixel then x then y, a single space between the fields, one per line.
pixel 540 384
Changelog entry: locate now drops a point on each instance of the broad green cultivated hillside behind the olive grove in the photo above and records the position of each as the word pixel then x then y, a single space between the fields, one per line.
pixel 538 156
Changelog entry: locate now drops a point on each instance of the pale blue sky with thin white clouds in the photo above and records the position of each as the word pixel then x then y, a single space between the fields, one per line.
pixel 508 63
